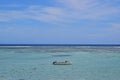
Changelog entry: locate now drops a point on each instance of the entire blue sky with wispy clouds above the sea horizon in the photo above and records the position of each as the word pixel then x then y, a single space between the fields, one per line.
pixel 59 21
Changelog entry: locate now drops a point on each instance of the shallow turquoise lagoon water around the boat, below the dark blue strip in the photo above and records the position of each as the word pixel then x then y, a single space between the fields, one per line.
pixel 35 63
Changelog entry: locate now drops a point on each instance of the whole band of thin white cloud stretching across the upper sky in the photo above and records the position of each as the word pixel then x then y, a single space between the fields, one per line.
pixel 69 11
